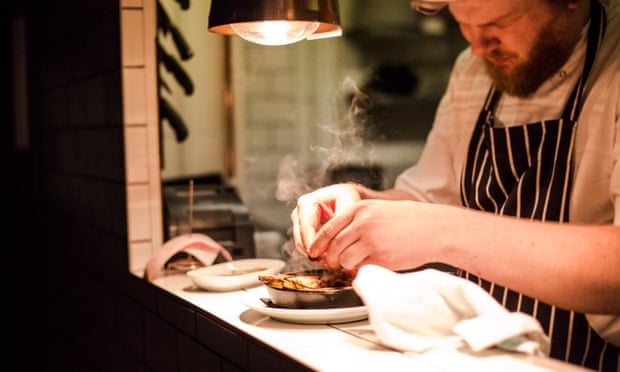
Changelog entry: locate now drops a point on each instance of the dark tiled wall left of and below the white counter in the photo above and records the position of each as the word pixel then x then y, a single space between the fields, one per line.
pixel 73 305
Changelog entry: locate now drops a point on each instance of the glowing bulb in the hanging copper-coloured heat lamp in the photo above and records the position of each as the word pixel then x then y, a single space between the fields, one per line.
pixel 275 32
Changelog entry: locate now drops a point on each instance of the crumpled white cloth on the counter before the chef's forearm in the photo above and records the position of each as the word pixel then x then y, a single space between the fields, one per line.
pixel 428 309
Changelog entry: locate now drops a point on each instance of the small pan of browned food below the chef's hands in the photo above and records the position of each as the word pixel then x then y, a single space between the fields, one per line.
pixel 312 289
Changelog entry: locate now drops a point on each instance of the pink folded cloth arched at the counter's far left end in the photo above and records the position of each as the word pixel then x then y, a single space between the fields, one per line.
pixel 201 246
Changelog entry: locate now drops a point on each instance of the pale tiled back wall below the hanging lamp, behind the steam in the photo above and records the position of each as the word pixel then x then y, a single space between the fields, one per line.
pixel 286 103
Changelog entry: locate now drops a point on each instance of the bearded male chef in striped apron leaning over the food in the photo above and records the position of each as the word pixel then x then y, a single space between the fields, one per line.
pixel 518 186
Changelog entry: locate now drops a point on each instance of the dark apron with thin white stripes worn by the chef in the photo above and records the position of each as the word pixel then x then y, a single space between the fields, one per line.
pixel 525 171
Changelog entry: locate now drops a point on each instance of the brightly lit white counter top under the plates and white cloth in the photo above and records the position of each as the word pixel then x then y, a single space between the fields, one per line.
pixel 337 347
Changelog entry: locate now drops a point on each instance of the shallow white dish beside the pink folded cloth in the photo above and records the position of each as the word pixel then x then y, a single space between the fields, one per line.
pixel 234 275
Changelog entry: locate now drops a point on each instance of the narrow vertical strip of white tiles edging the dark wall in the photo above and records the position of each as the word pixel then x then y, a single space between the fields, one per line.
pixel 141 127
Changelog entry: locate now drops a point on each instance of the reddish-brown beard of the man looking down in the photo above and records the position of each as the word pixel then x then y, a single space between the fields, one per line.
pixel 550 52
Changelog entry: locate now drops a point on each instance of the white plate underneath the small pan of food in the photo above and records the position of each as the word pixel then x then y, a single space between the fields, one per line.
pixel 306 316
